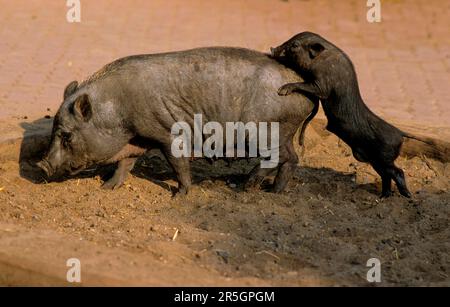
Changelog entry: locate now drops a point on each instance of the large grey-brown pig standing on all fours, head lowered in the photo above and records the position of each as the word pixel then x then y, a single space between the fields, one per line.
pixel 130 106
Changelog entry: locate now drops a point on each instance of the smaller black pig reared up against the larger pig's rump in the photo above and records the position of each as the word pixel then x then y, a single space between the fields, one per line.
pixel 329 75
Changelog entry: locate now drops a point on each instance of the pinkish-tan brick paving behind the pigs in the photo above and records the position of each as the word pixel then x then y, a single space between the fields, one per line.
pixel 403 62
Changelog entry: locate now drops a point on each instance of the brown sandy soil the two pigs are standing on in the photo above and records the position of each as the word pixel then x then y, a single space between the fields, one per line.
pixel 321 231
